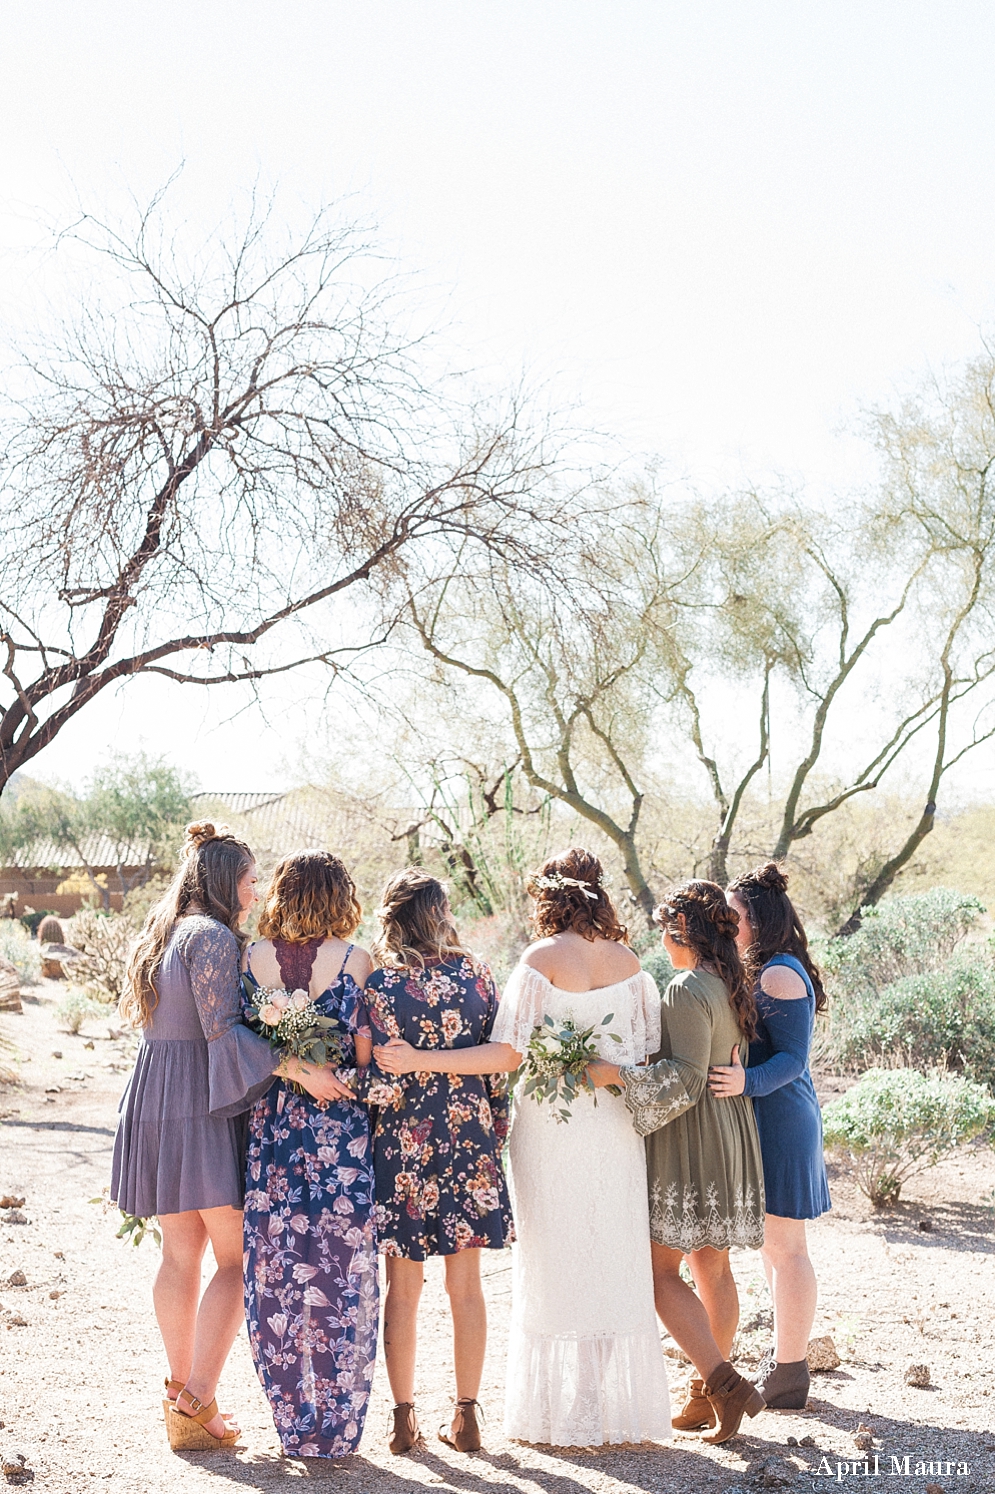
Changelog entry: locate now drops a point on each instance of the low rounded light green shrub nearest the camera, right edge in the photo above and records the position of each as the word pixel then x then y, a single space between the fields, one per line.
pixel 897 1123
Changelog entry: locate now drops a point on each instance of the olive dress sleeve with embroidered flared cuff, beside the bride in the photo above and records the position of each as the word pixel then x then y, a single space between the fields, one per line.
pixel 663 1091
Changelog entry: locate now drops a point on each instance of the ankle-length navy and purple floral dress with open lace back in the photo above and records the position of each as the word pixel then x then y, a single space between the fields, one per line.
pixel 311 1281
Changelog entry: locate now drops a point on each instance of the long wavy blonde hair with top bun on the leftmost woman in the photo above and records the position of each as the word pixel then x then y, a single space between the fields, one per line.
pixel 213 861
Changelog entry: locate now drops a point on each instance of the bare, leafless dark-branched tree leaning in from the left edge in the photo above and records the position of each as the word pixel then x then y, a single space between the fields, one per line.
pixel 220 446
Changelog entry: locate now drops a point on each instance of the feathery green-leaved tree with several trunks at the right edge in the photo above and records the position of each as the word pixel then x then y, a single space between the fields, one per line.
pixel 810 622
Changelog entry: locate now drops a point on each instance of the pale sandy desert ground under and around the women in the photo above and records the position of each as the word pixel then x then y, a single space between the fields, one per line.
pixel 81 1363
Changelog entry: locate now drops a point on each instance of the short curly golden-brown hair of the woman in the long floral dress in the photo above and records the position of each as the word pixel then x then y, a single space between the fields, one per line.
pixel 310 896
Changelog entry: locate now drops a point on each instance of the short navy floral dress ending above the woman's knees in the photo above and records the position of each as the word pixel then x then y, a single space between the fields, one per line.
pixel 438 1138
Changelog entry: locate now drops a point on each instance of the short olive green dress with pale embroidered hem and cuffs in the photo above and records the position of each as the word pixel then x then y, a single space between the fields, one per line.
pixel 704 1165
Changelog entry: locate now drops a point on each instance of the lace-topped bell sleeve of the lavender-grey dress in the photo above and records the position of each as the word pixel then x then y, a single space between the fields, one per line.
pixel 240 1063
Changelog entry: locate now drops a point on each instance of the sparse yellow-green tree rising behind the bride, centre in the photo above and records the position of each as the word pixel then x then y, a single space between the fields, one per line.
pixel 571 666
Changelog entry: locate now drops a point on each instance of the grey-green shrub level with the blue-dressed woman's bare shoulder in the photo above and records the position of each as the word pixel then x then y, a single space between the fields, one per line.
pixel 905 936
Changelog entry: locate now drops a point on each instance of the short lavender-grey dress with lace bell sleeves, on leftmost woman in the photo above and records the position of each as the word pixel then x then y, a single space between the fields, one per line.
pixel 183 1118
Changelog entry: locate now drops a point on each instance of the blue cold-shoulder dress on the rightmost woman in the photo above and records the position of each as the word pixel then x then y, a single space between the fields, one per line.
pixel 788 1115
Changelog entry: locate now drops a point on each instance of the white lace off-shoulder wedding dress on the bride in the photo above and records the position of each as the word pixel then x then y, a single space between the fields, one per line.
pixel 585 1359
